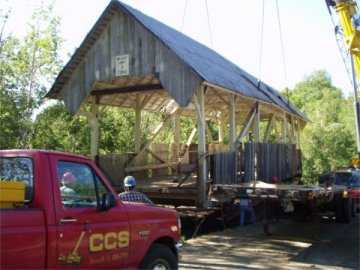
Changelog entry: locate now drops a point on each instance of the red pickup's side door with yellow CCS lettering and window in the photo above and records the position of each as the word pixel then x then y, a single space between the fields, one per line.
pixel 87 237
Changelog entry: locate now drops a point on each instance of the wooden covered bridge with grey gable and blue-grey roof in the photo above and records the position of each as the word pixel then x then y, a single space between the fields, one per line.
pixel 133 61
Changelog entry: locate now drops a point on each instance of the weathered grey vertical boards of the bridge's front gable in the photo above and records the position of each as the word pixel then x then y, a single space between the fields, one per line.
pixel 124 35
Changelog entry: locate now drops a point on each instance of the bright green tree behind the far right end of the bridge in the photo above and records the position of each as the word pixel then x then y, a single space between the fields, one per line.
pixel 328 141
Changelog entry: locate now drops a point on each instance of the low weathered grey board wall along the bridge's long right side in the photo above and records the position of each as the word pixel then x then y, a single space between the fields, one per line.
pixel 268 162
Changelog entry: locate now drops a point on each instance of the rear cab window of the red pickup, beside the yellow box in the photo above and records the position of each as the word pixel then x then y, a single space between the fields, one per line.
pixel 18 169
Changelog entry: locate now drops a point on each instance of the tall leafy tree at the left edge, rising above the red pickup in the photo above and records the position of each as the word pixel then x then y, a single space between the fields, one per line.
pixel 27 67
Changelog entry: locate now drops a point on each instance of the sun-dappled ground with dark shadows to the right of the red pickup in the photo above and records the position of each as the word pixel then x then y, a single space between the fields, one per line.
pixel 318 244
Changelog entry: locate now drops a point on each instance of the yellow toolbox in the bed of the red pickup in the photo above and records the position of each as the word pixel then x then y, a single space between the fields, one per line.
pixel 12 194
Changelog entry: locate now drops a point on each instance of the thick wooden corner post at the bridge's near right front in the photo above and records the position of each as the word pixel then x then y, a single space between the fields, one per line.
pixel 202 173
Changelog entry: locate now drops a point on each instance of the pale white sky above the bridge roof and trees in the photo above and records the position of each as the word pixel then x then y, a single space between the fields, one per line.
pixel 235 32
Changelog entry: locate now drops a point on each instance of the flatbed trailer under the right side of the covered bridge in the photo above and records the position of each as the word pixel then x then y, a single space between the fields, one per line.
pixel 295 197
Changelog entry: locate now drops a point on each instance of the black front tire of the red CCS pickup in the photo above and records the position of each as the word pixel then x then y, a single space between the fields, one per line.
pixel 160 257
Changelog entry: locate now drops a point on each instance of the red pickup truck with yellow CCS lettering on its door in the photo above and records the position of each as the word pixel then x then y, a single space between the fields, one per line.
pixel 82 226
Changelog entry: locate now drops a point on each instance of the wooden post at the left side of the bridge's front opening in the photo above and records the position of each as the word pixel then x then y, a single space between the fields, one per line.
pixel 93 119
